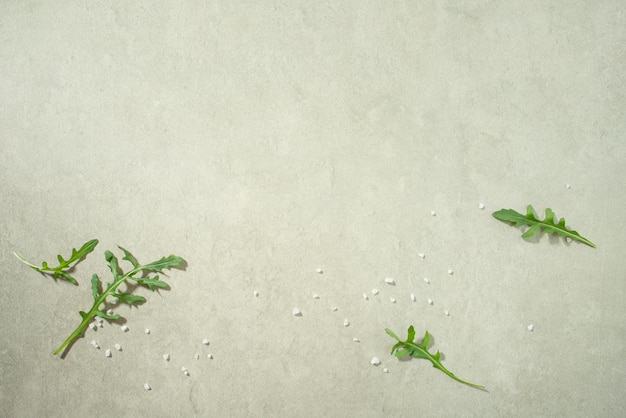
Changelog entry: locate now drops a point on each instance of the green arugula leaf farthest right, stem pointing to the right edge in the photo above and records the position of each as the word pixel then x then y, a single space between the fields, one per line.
pixel 548 225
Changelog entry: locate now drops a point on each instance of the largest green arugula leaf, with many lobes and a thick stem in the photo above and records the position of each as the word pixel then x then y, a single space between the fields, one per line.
pixel 136 274
